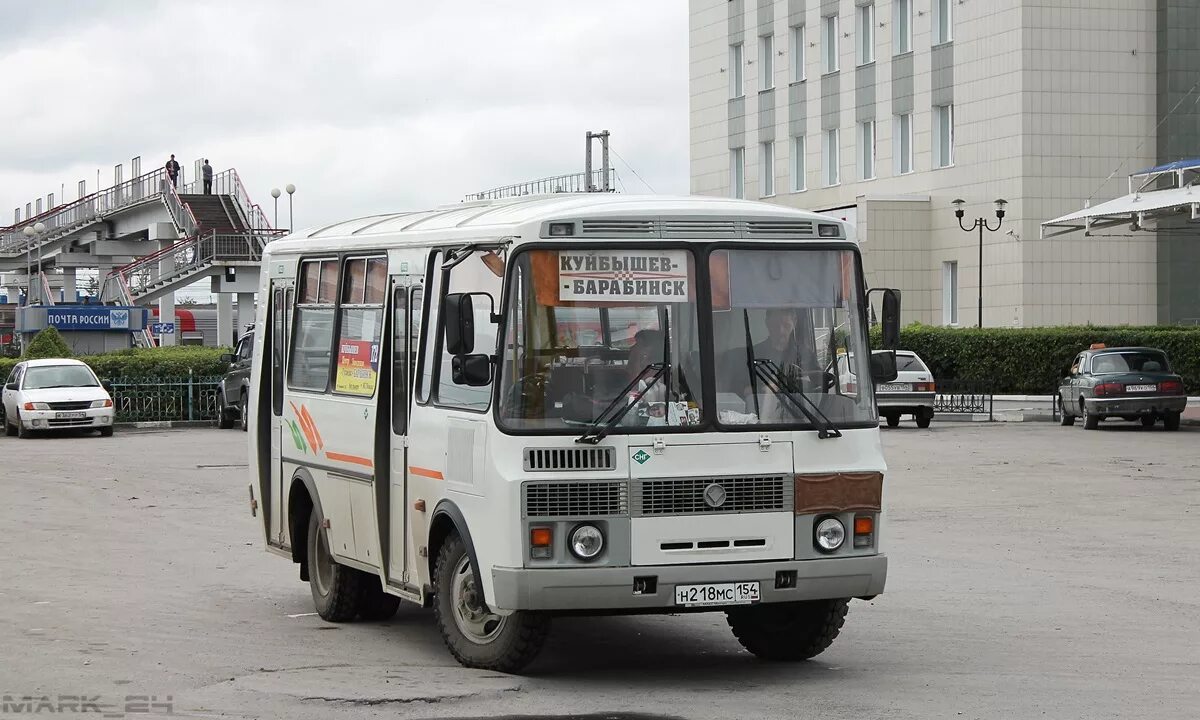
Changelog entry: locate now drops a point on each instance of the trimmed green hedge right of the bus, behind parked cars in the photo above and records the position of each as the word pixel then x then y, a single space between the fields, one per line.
pixel 1033 361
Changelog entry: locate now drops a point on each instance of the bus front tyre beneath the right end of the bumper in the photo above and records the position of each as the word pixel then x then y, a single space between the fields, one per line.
pixel 789 632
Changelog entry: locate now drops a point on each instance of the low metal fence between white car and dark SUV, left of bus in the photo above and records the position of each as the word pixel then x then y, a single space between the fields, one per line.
pixel 179 399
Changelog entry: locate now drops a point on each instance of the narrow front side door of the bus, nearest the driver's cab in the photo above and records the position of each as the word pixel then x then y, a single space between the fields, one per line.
pixel 406 311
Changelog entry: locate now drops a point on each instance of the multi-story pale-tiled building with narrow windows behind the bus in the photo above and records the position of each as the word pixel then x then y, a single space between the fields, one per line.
pixel 887 111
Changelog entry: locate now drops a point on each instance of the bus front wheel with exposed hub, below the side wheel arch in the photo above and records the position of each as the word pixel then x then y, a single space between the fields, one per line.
pixel 473 635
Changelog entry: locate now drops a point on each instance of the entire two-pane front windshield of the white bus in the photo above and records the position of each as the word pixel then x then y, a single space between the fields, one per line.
pixel 615 338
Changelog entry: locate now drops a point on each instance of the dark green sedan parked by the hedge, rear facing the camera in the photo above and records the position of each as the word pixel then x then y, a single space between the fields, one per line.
pixel 1127 383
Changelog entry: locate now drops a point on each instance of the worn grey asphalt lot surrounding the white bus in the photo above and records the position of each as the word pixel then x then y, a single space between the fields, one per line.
pixel 1036 572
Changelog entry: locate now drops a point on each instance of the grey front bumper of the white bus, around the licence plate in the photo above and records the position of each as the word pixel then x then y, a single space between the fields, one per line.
pixel 614 589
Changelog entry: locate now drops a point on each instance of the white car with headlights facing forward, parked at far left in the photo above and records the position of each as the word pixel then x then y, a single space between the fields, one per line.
pixel 56 395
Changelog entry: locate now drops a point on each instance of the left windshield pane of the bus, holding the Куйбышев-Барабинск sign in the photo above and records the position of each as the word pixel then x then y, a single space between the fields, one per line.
pixel 591 331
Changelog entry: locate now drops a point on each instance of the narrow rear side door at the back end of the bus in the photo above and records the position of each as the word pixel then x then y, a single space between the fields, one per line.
pixel 283 298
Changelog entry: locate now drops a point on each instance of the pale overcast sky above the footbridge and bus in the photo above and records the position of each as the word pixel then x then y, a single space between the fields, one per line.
pixel 365 106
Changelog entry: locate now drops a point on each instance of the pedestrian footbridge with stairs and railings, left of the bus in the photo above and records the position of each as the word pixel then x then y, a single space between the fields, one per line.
pixel 147 239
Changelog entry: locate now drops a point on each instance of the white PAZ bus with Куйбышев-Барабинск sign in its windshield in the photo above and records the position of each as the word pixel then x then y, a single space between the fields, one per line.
pixel 573 404
